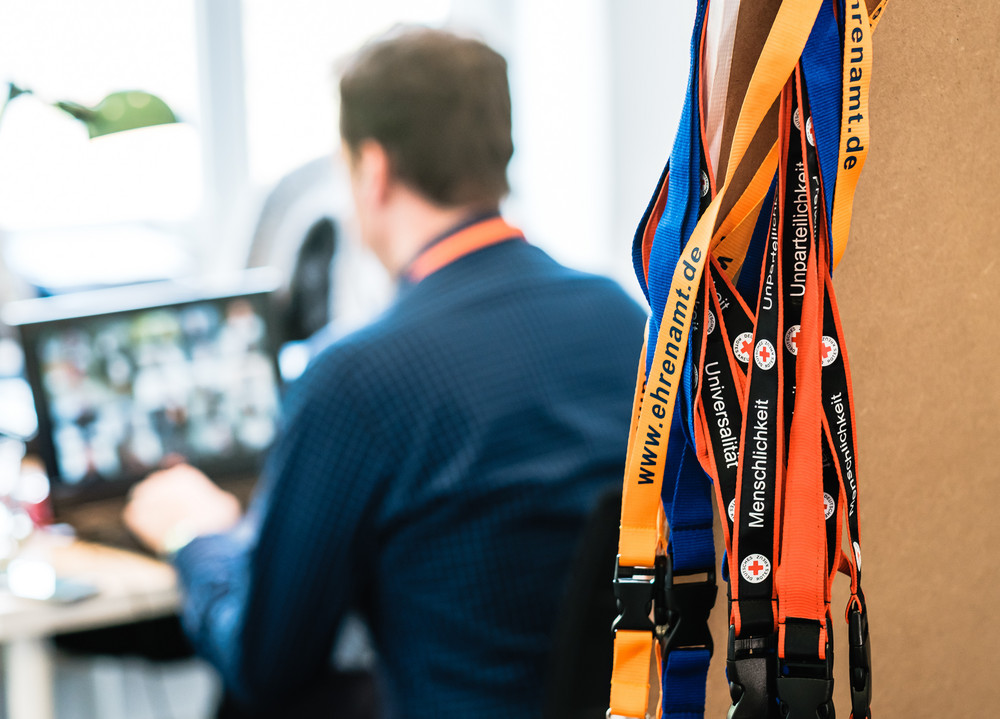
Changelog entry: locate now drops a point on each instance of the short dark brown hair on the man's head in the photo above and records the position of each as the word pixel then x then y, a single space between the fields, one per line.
pixel 440 106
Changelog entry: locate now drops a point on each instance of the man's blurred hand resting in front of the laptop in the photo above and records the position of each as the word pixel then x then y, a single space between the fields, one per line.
pixel 179 503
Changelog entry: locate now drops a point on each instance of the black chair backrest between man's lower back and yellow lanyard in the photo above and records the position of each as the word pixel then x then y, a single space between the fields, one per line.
pixel 579 678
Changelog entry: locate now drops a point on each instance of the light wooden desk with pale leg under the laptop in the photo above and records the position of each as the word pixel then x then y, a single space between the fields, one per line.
pixel 131 587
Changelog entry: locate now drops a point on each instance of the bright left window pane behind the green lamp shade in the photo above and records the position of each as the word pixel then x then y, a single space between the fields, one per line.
pixel 52 178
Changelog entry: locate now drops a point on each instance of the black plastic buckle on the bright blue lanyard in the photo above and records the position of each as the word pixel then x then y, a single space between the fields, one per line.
pixel 684 622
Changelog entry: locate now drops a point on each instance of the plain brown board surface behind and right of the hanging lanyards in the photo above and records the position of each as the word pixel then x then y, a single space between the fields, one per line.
pixel 919 291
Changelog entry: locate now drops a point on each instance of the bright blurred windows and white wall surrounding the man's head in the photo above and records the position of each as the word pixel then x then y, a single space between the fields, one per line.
pixel 253 86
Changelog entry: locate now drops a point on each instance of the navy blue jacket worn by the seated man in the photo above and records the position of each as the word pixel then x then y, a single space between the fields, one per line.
pixel 433 473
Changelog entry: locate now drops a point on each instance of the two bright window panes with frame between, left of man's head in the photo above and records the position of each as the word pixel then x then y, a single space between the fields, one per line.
pixel 142 194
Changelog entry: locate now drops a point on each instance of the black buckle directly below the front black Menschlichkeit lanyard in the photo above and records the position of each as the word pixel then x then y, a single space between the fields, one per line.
pixel 750 668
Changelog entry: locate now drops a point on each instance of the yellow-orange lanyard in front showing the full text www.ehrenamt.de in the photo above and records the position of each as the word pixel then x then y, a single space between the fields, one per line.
pixel 641 532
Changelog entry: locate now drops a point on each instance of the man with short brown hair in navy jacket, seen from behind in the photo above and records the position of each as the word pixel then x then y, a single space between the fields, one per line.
pixel 435 468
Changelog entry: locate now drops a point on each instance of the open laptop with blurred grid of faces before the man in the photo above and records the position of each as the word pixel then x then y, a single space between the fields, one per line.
pixel 129 380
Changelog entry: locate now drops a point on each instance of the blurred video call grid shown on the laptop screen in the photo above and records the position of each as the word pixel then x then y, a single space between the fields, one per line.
pixel 124 393
